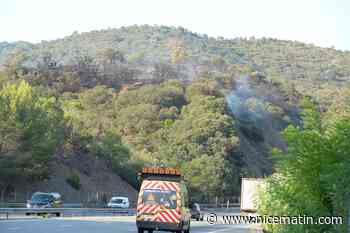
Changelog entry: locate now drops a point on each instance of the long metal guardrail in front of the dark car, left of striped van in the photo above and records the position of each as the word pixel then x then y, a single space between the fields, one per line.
pixel 8 212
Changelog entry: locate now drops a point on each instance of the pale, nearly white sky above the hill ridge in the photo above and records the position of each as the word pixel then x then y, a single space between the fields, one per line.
pixel 321 22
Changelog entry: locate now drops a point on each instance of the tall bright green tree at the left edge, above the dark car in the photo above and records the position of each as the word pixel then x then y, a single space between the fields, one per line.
pixel 31 128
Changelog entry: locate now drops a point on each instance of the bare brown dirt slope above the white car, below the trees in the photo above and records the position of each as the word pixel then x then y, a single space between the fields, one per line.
pixel 98 181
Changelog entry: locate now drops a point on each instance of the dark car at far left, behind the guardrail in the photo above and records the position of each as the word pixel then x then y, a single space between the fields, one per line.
pixel 45 200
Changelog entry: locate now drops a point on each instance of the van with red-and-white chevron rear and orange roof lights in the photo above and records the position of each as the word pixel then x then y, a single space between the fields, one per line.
pixel 162 201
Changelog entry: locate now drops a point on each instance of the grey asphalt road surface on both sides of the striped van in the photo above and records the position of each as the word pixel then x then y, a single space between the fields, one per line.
pixel 103 225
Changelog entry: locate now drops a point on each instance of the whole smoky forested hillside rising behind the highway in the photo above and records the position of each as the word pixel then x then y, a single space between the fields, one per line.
pixel 145 95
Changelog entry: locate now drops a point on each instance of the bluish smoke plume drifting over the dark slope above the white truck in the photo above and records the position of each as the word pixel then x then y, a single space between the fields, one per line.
pixel 261 112
